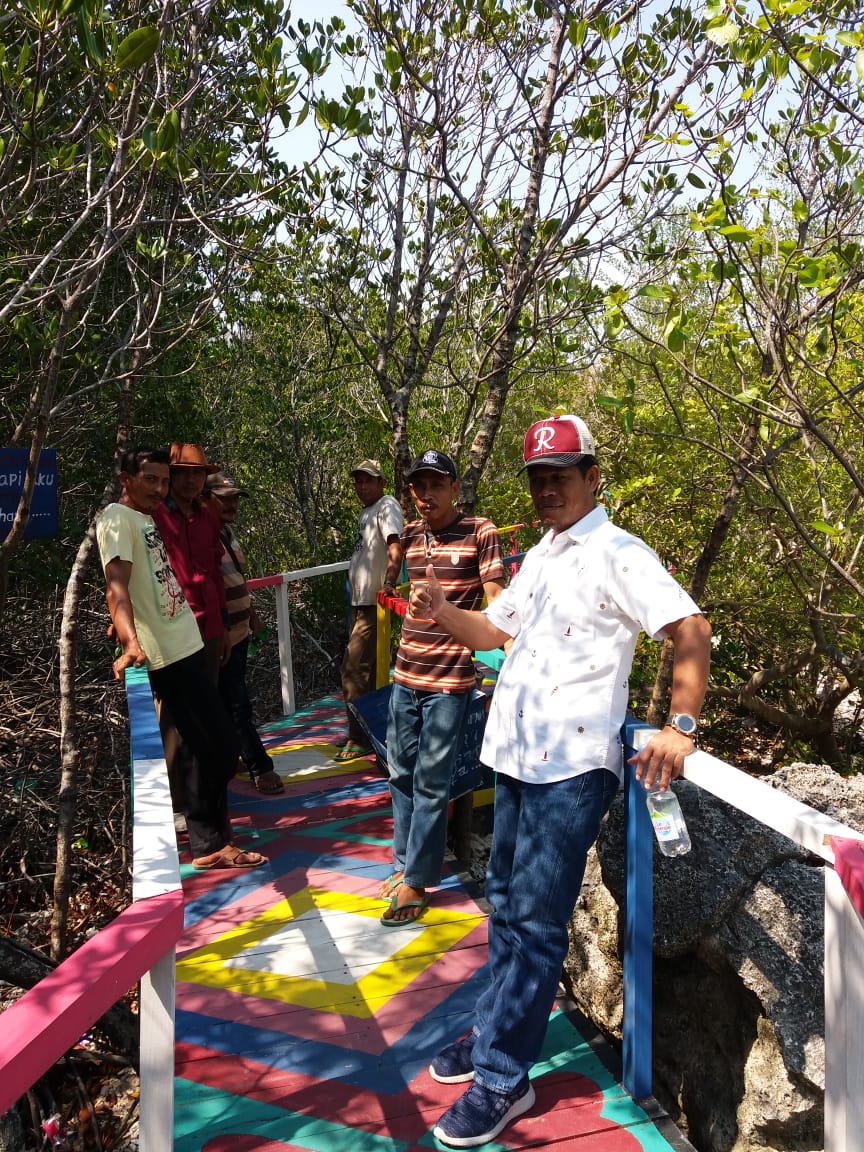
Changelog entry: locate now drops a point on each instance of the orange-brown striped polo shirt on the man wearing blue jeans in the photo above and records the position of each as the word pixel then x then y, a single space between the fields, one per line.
pixel 465 556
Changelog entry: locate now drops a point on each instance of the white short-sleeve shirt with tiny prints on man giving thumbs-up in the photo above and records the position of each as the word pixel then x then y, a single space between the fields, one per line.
pixel 575 610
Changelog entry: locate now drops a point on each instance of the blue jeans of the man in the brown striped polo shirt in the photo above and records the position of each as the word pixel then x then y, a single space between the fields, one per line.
pixel 425 736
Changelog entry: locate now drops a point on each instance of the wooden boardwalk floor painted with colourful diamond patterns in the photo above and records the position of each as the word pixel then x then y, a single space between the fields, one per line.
pixel 305 1025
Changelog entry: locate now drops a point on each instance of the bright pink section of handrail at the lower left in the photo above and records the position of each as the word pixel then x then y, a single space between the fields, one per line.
pixel 52 1017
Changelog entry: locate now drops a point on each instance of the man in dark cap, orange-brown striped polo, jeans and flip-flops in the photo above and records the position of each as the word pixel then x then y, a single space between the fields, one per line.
pixel 434 681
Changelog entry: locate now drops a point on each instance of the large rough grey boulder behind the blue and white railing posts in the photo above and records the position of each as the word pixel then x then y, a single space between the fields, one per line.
pixel 739 1004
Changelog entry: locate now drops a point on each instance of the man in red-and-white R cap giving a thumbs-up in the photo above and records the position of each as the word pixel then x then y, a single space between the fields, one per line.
pixel 574 613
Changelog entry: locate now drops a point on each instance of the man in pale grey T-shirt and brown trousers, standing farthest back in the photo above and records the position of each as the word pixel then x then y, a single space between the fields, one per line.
pixel 376 565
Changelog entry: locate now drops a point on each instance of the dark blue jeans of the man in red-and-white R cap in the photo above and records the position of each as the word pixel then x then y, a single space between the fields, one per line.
pixel 540 846
